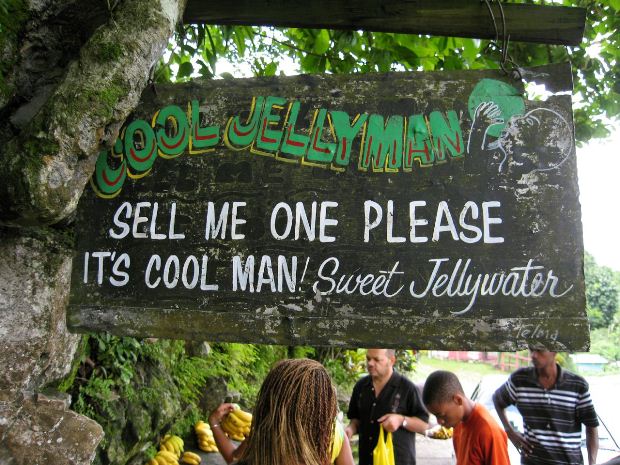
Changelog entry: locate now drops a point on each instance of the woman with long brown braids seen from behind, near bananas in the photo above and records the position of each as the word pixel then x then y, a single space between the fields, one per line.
pixel 293 420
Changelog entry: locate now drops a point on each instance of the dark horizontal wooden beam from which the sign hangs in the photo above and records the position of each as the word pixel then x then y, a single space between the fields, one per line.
pixel 453 18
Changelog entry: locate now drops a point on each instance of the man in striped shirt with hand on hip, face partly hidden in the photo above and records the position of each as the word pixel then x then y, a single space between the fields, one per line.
pixel 554 404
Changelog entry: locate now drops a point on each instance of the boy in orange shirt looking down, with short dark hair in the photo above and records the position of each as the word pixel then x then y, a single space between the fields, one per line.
pixel 478 439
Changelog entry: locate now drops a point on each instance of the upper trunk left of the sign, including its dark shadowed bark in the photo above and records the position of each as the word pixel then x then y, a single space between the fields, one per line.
pixel 59 110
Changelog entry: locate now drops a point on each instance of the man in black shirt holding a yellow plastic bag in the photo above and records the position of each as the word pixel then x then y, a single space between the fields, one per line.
pixel 388 398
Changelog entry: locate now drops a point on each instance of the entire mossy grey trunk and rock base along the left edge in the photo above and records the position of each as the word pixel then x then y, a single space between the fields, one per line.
pixel 70 73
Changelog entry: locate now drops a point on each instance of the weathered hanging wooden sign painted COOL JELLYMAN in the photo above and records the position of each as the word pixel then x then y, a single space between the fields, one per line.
pixel 433 210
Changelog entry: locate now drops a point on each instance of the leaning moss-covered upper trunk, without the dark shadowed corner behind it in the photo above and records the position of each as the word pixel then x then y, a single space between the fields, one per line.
pixel 49 154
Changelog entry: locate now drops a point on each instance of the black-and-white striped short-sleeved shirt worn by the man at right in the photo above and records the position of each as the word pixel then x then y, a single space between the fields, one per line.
pixel 552 417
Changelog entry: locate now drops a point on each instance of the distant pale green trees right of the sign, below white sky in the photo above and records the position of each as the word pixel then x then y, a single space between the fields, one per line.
pixel 602 293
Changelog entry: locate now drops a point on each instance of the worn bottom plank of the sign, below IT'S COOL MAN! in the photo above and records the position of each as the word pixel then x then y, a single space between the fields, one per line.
pixel 339 330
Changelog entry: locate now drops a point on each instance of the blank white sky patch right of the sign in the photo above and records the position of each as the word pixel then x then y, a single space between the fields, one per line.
pixel 598 168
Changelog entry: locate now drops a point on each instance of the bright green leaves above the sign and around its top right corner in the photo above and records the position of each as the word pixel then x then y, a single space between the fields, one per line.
pixel 197 50
